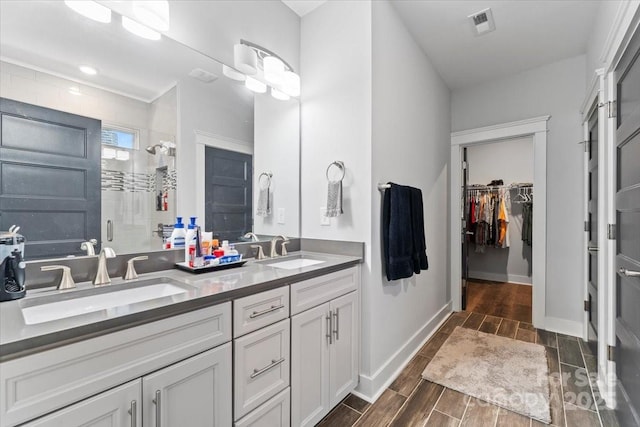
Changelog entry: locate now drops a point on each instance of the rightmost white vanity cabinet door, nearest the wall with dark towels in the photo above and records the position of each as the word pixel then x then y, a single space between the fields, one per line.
pixel 344 353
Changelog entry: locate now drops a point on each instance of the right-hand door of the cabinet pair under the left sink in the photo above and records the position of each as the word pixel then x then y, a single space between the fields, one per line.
pixel 193 392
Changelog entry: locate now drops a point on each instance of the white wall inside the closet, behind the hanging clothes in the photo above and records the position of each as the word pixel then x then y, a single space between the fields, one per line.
pixel 511 161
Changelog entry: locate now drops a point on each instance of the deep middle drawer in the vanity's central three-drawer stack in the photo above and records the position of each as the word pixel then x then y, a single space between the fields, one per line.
pixel 261 368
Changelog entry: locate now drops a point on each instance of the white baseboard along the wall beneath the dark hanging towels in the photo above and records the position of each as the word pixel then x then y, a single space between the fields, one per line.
pixel 371 387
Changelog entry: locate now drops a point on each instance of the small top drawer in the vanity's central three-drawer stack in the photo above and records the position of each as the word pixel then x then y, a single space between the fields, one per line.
pixel 257 311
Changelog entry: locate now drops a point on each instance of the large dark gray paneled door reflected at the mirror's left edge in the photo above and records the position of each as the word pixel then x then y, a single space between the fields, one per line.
pixel 49 178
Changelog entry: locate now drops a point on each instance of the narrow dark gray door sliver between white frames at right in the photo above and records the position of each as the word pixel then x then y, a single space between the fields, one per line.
pixel 592 204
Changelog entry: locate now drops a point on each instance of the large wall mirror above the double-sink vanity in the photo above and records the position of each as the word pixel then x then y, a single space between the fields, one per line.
pixel 175 137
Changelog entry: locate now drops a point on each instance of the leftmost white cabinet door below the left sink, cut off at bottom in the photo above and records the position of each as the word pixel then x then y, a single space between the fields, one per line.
pixel 118 407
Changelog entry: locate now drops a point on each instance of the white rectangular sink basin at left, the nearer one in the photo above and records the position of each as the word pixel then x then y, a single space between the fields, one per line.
pixel 56 310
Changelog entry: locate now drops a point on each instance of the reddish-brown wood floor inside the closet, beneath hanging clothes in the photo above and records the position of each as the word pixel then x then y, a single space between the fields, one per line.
pixel 506 300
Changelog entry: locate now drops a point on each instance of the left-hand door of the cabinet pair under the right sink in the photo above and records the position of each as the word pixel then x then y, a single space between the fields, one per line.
pixel 310 366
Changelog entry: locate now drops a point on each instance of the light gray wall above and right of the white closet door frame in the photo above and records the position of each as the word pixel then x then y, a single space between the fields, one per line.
pixel 556 89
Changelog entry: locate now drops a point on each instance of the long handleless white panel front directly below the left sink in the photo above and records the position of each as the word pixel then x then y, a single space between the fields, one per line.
pixel 43 382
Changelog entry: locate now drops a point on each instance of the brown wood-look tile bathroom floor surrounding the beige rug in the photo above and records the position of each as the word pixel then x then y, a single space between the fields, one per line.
pixel 412 401
